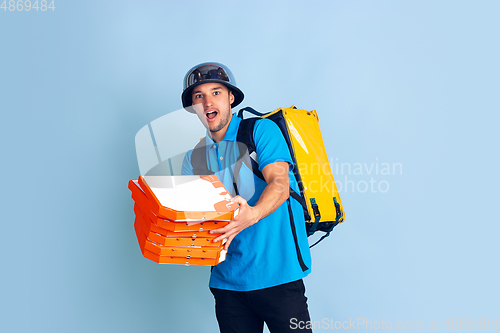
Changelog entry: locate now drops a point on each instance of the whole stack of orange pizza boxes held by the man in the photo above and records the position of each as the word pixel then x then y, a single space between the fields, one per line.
pixel 174 214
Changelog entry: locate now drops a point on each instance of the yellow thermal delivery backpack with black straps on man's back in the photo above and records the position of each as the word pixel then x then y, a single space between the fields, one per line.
pixel 318 195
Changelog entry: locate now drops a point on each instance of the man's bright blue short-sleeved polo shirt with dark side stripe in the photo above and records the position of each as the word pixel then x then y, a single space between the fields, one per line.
pixel 264 254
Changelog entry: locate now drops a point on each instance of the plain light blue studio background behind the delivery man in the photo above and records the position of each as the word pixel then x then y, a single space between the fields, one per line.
pixel 415 83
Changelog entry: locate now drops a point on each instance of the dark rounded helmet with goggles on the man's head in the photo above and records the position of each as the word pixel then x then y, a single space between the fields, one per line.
pixel 209 72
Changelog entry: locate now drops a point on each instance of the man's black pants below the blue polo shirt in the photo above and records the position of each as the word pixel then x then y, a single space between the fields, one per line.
pixel 280 307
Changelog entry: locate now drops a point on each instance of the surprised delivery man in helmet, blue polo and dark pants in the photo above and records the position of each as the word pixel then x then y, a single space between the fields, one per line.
pixel 268 253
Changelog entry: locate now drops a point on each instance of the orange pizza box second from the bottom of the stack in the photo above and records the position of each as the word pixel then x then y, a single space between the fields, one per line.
pixel 176 251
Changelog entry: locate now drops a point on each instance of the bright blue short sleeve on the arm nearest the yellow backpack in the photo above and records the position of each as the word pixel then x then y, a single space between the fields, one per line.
pixel 270 144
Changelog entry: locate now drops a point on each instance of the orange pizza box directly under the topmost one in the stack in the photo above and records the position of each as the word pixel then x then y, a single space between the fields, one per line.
pixel 175 226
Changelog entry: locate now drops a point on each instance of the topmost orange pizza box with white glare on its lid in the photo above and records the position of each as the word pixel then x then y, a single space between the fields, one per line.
pixel 188 197
